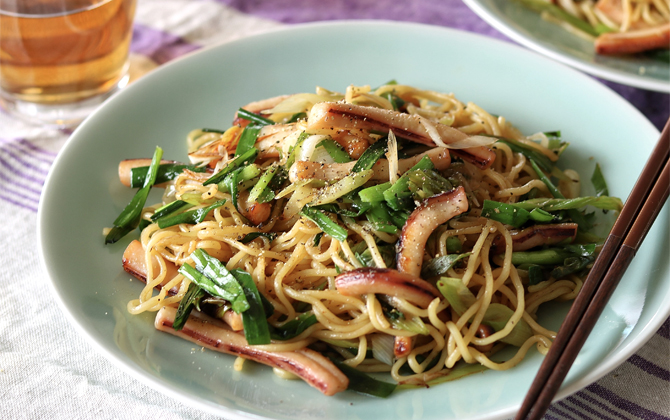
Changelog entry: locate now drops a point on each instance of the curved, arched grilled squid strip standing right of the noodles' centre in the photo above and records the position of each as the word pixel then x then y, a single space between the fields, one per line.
pixel 433 212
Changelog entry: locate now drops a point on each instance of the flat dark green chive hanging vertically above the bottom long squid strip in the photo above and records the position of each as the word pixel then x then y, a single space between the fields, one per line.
pixel 256 329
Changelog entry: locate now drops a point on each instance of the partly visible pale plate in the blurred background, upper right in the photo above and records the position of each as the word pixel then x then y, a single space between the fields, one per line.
pixel 527 28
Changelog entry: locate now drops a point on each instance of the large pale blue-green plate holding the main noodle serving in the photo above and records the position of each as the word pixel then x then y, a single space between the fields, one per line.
pixel 82 195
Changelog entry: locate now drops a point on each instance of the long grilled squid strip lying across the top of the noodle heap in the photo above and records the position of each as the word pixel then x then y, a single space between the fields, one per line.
pixel 327 115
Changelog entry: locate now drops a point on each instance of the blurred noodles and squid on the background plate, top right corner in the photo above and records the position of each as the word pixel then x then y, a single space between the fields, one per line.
pixel 615 26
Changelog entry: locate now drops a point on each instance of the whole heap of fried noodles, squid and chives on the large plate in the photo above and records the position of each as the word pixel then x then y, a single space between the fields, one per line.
pixel 333 235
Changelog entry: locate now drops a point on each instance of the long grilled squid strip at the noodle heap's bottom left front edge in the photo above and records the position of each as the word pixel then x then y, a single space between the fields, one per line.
pixel 312 367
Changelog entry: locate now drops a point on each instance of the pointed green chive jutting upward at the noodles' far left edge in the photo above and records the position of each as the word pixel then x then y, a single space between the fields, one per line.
pixel 130 217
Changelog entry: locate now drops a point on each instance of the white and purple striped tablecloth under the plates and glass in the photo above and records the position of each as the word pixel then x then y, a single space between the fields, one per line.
pixel 48 371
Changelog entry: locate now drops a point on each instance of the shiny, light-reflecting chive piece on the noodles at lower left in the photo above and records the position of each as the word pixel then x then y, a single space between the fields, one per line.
pixel 225 282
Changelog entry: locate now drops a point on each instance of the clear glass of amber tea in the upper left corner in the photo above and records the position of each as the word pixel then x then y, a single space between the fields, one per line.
pixel 60 59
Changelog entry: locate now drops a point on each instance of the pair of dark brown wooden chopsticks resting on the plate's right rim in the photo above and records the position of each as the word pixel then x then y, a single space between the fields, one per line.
pixel 642 206
